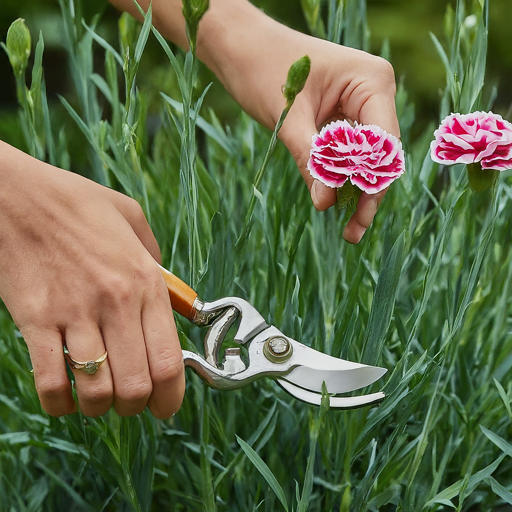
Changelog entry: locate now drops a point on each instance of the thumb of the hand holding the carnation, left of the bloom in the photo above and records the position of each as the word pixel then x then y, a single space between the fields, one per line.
pixel 296 134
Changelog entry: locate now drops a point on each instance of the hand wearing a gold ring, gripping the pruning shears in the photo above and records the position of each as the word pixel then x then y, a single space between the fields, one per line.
pixel 77 266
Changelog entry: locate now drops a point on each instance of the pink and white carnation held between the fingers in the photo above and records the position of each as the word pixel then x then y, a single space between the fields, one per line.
pixel 366 154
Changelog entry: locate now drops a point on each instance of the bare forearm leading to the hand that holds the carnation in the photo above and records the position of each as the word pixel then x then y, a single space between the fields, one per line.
pixel 235 39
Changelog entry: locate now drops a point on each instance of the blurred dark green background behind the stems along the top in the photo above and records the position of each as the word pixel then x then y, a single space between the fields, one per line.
pixel 404 24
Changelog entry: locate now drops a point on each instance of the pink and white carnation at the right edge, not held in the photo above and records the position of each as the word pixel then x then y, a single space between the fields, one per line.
pixel 477 137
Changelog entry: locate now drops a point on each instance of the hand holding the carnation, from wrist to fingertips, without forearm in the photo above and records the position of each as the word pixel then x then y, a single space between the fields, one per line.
pixel 365 94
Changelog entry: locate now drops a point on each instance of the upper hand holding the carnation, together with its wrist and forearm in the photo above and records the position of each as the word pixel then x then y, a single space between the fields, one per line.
pixel 252 57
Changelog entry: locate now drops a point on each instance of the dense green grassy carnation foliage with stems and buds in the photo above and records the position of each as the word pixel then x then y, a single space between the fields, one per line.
pixel 426 294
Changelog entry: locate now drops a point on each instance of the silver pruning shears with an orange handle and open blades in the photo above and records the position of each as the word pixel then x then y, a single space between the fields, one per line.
pixel 298 369
